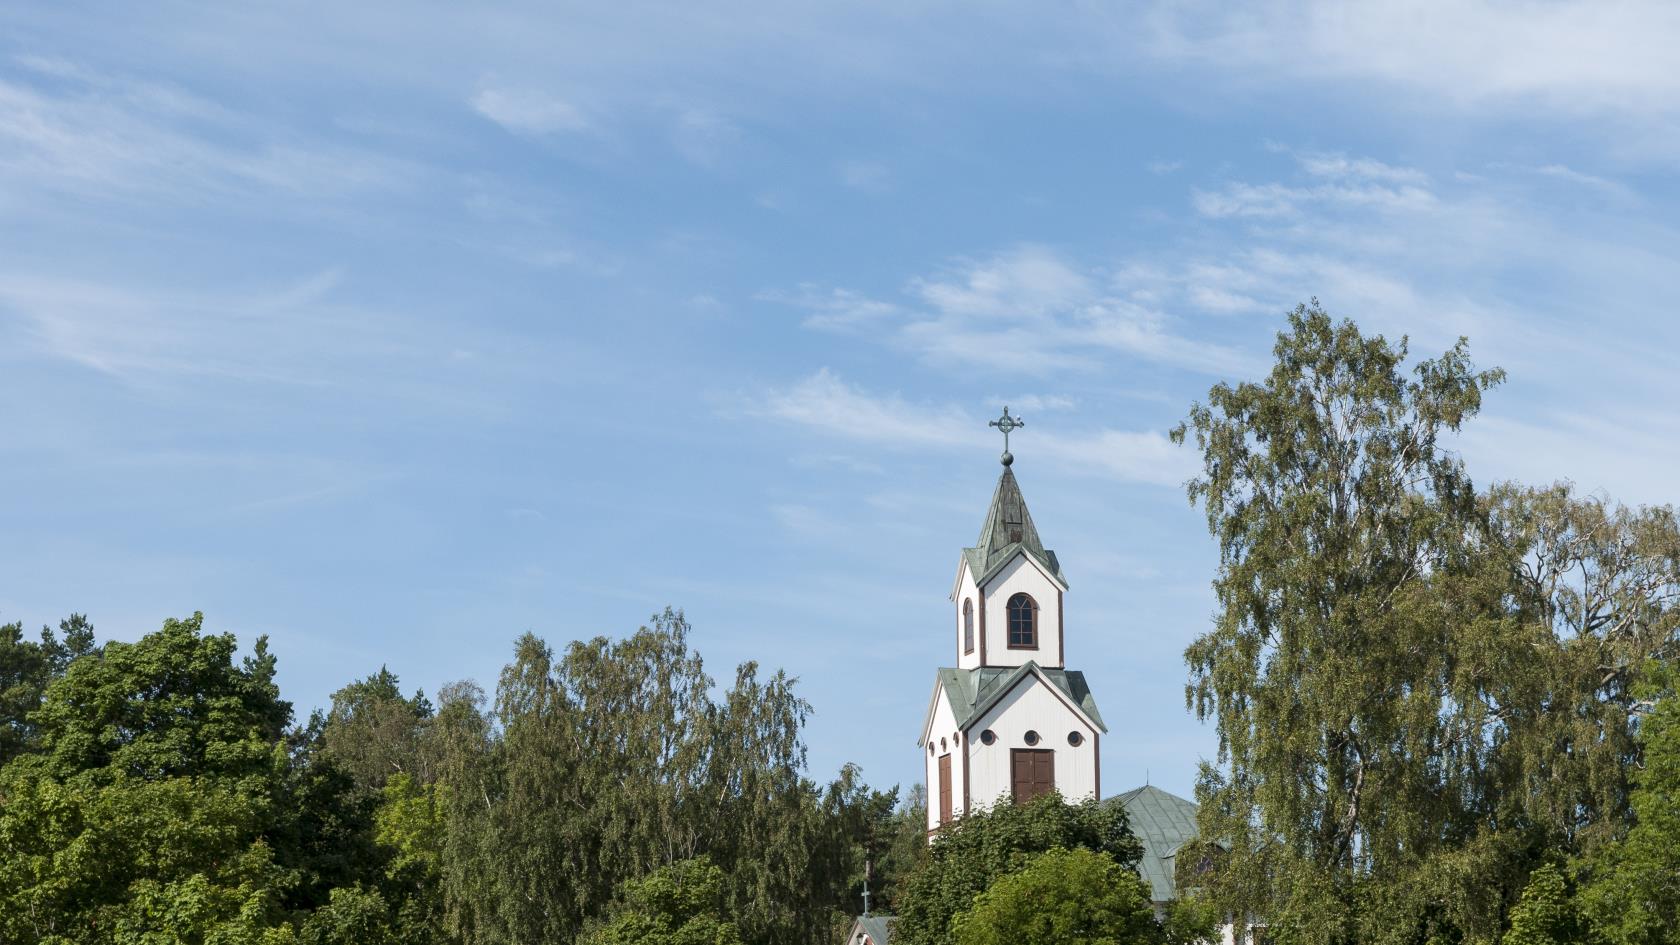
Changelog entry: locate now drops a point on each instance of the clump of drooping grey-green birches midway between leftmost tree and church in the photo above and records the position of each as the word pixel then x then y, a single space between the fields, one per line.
pixel 614 763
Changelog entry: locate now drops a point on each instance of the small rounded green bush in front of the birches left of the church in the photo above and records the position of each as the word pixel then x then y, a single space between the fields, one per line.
pixel 676 905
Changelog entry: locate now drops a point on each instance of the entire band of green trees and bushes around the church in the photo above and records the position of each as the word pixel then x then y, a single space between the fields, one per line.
pixel 1446 715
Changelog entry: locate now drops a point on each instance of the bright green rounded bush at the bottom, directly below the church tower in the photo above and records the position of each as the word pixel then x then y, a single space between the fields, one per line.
pixel 1064 897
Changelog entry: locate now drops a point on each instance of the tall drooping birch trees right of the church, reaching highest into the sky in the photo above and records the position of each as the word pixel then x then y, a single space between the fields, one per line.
pixel 1429 697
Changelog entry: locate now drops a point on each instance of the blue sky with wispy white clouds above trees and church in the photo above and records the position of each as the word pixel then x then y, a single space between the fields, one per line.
pixel 394 330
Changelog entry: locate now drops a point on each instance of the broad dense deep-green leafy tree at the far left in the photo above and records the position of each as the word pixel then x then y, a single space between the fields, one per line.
pixel 159 801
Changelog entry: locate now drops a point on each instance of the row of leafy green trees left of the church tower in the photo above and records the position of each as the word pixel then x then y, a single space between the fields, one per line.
pixel 159 793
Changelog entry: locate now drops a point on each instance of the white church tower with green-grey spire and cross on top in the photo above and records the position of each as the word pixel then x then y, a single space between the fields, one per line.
pixel 1009 721
